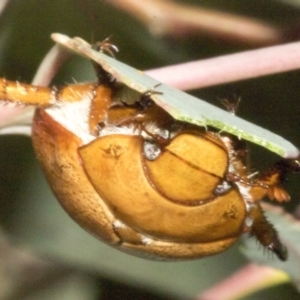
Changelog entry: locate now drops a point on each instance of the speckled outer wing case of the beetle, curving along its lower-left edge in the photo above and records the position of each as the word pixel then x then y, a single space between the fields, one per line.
pixel 64 170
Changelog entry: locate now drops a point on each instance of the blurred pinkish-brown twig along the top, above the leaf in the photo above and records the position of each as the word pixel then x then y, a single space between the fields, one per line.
pixel 165 17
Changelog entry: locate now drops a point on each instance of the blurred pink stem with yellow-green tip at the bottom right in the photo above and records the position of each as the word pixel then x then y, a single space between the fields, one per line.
pixel 247 280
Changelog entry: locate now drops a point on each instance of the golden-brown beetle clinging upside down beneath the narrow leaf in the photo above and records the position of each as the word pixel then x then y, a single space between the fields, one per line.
pixel 141 181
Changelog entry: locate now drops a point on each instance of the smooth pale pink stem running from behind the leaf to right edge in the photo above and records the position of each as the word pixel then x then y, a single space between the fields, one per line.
pixel 230 68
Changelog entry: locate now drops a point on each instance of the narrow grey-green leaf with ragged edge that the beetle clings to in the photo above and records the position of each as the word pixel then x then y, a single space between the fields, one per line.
pixel 180 105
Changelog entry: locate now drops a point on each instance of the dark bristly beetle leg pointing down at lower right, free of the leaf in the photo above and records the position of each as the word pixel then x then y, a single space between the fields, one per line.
pixel 265 233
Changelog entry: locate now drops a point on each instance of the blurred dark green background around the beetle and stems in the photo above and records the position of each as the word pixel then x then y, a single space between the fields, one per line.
pixel 77 266
